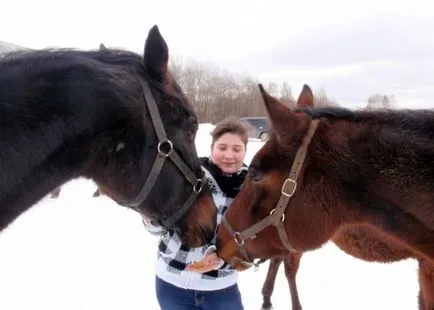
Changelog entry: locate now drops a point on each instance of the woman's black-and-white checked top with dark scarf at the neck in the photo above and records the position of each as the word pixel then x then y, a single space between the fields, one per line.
pixel 173 256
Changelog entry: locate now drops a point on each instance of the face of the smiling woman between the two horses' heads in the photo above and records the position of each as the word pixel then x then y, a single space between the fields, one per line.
pixel 228 153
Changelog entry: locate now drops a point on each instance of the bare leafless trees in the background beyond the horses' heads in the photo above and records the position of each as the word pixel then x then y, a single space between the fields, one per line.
pixel 216 94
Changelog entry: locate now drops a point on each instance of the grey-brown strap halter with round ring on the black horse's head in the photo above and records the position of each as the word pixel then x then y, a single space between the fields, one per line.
pixel 165 150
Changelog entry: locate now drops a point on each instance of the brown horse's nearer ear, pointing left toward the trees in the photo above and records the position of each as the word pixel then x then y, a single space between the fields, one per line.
pixel 277 112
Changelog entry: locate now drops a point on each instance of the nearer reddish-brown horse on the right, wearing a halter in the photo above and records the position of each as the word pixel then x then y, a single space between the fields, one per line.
pixel 345 168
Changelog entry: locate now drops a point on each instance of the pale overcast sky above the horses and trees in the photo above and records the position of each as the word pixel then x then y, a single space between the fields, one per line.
pixel 351 49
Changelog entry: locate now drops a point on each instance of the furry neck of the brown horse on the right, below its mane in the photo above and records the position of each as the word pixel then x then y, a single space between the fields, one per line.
pixel 371 188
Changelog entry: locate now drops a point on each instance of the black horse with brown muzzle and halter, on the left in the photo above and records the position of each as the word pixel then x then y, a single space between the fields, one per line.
pixel 109 115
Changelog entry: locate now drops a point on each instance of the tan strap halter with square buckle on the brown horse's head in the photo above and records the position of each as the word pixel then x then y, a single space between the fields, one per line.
pixel 276 217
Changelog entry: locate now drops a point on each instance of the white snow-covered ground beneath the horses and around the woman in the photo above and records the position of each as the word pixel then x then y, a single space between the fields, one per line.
pixel 84 253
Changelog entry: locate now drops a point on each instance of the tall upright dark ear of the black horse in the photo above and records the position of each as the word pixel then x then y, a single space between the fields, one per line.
pixel 156 54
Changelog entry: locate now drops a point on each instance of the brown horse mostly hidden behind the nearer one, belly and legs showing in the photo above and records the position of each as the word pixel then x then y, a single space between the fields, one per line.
pixel 362 242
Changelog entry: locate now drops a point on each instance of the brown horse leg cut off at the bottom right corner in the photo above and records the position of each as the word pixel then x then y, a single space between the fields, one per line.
pixel 426 284
